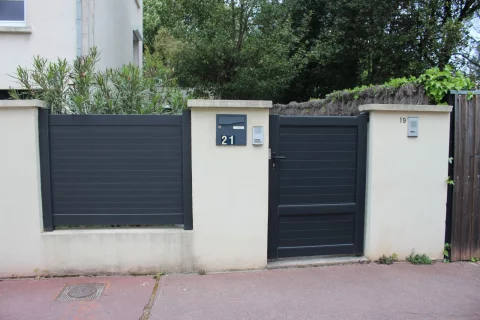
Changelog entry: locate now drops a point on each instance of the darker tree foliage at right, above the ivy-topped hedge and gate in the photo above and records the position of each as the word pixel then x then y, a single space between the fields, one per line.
pixel 357 42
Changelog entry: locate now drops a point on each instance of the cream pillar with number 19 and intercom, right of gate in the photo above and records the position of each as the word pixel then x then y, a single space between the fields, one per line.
pixel 406 188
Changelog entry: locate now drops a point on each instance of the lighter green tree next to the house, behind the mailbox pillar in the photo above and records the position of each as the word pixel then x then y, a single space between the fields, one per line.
pixel 238 49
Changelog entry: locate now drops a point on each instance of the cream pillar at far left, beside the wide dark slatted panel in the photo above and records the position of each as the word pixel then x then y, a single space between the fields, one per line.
pixel 20 203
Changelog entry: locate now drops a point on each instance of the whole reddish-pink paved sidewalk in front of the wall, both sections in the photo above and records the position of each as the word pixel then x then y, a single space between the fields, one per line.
pixel 369 291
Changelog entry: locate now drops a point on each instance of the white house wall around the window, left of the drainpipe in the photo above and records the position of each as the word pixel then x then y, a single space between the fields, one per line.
pixel 53 34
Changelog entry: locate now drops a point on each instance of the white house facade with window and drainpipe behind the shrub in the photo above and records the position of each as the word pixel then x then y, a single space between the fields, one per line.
pixel 67 29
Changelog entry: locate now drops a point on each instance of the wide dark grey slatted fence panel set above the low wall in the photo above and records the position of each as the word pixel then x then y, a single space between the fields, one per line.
pixel 115 169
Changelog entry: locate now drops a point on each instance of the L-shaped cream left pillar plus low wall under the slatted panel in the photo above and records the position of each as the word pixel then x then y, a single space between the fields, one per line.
pixel 26 250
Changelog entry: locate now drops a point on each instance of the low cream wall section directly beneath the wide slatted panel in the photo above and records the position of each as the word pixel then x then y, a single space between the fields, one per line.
pixel 145 251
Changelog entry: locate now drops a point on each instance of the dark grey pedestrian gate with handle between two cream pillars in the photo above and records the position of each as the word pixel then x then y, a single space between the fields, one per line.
pixel 317 185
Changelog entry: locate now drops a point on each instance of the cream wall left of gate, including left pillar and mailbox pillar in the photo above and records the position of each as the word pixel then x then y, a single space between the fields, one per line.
pixel 230 207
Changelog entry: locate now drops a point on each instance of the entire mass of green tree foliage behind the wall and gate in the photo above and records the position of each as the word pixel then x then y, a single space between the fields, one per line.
pixel 298 49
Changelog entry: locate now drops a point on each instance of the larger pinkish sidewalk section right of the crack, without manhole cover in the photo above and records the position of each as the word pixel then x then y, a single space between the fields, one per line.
pixel 369 291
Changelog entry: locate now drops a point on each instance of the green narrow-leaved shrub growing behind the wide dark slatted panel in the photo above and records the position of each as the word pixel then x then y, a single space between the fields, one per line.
pixel 81 89
